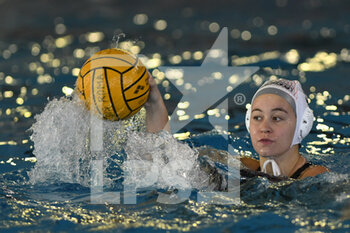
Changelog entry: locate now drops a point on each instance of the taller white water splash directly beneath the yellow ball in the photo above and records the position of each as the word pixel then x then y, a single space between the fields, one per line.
pixel 61 137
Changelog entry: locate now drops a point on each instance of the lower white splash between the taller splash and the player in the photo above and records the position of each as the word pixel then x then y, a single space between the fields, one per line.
pixel 161 161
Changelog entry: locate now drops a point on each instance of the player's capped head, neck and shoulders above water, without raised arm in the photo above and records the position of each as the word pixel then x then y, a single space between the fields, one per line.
pixel 278 120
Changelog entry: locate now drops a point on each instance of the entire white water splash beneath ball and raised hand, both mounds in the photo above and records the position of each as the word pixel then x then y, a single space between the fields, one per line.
pixel 63 137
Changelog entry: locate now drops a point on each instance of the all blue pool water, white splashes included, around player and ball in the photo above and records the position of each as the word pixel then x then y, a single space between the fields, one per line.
pixel 45 160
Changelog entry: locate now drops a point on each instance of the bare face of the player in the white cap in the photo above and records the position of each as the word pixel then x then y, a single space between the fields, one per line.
pixel 272 125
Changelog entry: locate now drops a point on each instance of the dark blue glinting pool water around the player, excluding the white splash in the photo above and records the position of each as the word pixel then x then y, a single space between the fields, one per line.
pixel 309 27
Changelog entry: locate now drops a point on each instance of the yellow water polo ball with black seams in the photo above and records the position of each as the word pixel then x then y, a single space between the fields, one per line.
pixel 114 84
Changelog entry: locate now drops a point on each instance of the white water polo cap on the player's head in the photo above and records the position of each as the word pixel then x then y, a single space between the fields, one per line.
pixel 292 92
